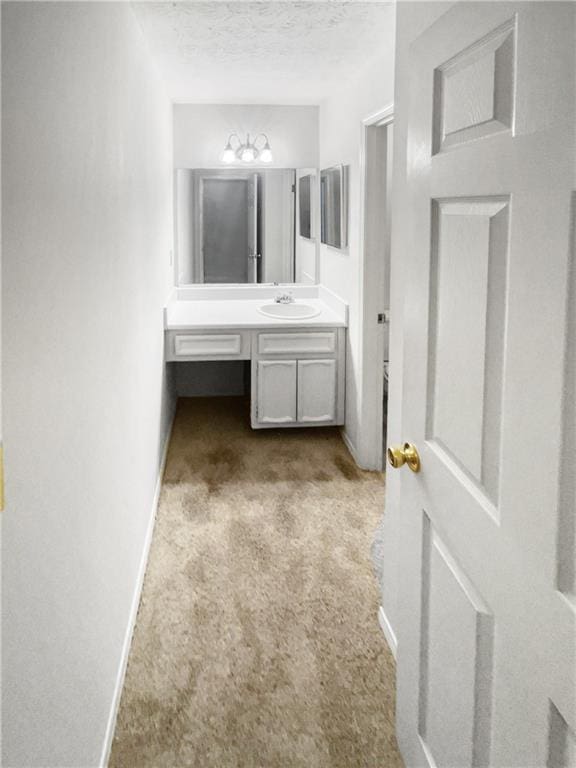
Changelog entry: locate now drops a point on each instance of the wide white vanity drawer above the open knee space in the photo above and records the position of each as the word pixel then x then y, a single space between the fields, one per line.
pixel 228 345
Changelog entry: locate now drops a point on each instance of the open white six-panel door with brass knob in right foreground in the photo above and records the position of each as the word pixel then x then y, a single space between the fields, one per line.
pixel 487 643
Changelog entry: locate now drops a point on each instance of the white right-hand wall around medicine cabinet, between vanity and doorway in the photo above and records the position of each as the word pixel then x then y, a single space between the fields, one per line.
pixel 340 140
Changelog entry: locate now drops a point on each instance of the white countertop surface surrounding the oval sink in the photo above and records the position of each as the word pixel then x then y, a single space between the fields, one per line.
pixel 243 313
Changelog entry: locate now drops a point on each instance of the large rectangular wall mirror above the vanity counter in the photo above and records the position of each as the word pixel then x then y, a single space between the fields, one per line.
pixel 239 226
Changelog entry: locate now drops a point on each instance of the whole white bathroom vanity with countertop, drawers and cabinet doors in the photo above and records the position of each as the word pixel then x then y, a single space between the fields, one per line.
pixel 297 363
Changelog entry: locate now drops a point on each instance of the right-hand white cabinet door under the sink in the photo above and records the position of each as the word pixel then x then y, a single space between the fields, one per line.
pixel 317 390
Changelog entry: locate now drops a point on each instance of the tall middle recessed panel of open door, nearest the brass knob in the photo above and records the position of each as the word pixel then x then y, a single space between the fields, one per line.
pixel 468 275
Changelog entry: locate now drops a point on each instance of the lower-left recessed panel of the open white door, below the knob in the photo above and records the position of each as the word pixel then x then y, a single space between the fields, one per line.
pixel 455 661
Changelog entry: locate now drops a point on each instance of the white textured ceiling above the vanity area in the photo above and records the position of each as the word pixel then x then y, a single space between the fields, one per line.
pixel 263 52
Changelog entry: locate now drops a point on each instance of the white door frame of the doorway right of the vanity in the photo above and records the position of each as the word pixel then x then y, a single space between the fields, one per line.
pixel 372 299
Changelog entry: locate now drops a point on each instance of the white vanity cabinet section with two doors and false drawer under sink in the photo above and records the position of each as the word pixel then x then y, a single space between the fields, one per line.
pixel 298 378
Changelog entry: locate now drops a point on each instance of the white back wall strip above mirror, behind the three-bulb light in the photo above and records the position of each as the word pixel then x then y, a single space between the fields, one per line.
pixel 201 131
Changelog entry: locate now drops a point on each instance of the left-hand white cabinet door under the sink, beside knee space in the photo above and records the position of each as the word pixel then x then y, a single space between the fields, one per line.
pixel 276 391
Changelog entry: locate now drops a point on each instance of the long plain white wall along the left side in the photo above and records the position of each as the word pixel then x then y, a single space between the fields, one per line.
pixel 87 180
